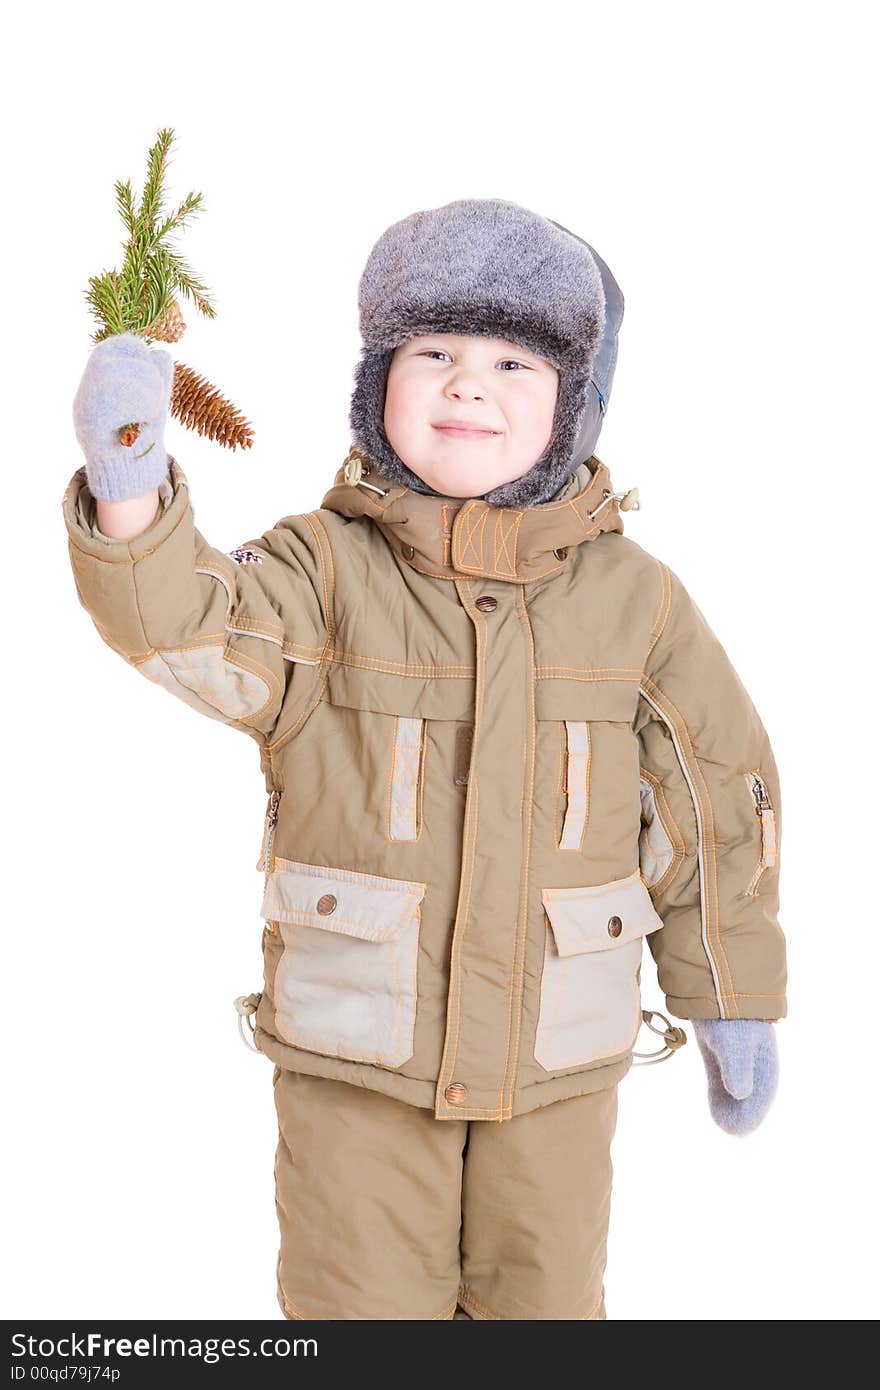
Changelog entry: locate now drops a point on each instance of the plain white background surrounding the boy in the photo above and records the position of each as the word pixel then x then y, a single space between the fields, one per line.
pixel 722 161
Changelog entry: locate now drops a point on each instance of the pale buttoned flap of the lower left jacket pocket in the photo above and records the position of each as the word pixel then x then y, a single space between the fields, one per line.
pixel 354 904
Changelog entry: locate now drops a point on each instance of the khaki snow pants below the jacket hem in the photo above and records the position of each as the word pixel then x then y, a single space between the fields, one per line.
pixel 387 1213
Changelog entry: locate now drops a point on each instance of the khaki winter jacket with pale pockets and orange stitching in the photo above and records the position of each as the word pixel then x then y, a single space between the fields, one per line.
pixel 503 747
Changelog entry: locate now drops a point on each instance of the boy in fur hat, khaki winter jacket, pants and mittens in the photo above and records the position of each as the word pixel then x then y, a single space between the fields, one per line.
pixel 503 747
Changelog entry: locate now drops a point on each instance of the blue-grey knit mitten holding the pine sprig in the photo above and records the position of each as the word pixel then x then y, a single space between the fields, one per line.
pixel 124 383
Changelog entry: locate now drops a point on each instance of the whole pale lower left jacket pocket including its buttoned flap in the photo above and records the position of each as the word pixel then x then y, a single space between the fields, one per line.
pixel 347 979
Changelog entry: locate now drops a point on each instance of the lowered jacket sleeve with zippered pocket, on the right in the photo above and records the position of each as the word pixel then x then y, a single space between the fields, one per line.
pixel 711 825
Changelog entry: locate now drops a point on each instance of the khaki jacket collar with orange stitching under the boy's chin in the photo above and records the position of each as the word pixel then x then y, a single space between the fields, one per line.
pixel 457 537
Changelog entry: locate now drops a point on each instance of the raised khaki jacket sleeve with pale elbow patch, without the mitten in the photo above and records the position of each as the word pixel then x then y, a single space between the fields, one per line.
pixel 219 630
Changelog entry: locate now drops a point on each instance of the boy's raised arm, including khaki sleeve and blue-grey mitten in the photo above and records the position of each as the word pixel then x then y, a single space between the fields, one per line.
pixel 219 630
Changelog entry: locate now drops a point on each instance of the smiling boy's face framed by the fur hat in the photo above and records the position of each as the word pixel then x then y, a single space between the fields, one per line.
pixel 504 390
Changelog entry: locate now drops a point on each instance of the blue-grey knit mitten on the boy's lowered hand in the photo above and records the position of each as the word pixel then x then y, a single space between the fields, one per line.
pixel 743 1067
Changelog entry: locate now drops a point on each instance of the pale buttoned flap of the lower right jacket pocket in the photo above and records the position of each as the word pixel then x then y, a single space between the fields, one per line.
pixel 607 915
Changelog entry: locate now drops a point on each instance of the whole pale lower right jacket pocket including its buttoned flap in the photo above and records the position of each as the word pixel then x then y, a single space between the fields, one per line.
pixel 590 986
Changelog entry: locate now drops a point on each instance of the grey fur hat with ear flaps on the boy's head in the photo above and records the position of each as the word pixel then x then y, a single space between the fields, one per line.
pixel 494 269
